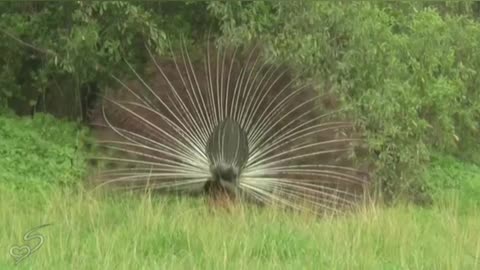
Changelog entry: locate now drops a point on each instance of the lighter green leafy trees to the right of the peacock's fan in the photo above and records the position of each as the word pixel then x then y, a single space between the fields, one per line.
pixel 410 76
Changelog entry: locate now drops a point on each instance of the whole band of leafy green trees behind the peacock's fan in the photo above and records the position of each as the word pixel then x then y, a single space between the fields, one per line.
pixel 407 72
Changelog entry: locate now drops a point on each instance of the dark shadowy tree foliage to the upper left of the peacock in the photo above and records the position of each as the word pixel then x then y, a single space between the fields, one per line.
pixel 54 52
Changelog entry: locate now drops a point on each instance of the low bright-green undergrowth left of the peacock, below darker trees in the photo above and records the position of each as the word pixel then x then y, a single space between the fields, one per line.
pixel 41 152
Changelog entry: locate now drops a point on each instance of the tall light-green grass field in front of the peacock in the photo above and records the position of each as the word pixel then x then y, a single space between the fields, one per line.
pixel 127 231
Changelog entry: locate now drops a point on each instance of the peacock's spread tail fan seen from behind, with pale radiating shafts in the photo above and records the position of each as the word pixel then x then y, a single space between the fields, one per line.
pixel 230 121
